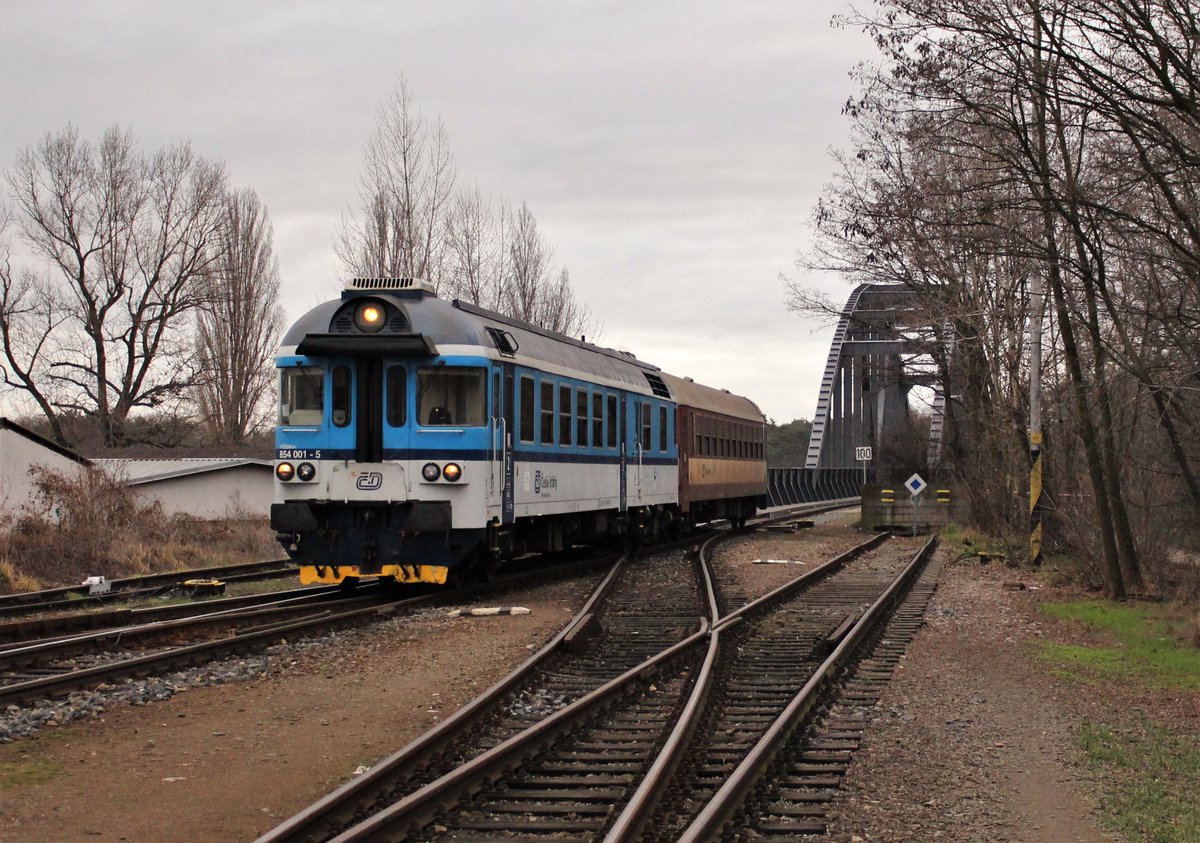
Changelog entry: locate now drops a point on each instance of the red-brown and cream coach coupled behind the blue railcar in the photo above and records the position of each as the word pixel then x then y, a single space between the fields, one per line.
pixel 723 456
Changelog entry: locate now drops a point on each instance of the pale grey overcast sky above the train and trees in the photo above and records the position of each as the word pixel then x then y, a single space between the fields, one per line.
pixel 673 152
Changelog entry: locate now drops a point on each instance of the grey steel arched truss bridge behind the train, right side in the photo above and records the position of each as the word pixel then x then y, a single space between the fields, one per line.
pixel 880 351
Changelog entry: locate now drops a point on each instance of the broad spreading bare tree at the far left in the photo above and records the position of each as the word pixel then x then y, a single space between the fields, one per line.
pixel 125 242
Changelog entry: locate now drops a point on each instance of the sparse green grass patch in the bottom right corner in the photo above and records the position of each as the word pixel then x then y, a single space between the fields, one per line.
pixel 1150 778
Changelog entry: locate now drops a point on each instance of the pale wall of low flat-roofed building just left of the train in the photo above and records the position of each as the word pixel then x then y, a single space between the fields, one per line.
pixel 229 493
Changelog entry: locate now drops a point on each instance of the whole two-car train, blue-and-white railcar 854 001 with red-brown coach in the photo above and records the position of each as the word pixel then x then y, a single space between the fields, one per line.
pixel 424 440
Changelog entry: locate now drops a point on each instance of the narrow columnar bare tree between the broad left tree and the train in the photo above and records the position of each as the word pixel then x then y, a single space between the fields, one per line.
pixel 239 324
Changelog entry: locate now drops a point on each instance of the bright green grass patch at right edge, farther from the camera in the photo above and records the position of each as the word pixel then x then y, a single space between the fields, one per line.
pixel 1141 644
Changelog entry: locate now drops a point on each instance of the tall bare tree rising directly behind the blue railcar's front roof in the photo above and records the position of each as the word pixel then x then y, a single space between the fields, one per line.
pixel 405 189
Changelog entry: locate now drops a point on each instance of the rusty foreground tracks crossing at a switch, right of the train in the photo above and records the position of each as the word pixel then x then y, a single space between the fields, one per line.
pixel 543 757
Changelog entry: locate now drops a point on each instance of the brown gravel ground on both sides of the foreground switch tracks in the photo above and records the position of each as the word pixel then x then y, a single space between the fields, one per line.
pixel 971 742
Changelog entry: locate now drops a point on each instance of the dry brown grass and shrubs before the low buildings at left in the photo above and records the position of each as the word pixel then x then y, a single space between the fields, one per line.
pixel 86 524
